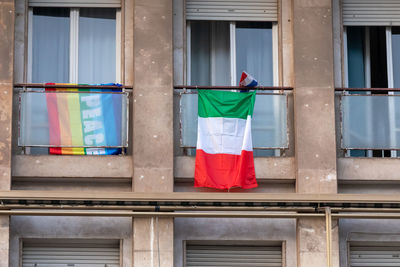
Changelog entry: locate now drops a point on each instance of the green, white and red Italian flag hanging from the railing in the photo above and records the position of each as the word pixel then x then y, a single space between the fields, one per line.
pixel 224 153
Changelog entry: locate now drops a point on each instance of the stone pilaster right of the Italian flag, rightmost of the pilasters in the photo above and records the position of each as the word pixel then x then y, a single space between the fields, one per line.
pixel 314 113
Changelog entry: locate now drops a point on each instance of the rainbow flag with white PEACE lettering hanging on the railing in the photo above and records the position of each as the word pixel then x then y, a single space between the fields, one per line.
pixel 84 119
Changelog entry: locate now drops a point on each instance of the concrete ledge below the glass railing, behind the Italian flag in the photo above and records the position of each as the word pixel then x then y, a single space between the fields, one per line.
pixel 275 169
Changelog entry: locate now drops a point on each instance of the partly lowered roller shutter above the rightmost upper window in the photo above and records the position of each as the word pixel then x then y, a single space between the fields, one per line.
pixel 371 12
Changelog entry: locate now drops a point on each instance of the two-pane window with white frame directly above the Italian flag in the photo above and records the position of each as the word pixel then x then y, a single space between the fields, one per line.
pixel 220 51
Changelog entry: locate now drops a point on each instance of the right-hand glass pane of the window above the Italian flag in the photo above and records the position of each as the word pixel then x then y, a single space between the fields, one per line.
pixel 254 51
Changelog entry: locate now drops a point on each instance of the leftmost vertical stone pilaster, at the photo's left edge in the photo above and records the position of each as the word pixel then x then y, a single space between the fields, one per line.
pixel 6 92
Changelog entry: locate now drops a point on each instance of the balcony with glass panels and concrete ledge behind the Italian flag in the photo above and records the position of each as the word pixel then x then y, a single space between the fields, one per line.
pixel 272 132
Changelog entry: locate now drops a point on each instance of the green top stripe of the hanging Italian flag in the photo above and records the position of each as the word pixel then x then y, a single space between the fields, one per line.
pixel 226 104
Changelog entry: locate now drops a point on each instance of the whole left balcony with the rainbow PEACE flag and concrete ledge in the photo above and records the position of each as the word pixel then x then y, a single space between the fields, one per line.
pixel 78 122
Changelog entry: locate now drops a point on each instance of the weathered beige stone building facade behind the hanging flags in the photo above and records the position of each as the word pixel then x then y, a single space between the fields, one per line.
pixel 325 153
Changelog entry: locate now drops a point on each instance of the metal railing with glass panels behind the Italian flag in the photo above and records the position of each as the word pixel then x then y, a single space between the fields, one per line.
pixel 270 118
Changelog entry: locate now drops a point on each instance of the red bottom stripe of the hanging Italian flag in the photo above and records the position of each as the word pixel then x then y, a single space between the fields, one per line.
pixel 224 171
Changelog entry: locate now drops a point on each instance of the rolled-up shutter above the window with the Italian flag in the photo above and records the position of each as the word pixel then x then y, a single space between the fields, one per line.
pixel 232 10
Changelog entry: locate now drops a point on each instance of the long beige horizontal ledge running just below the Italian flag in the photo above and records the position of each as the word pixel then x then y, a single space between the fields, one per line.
pixel 198 197
